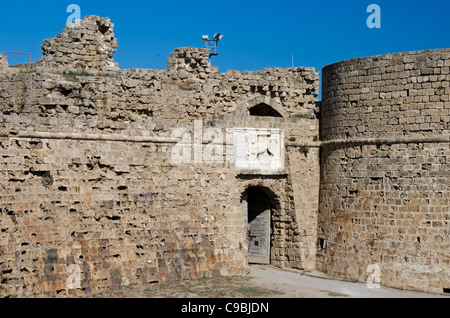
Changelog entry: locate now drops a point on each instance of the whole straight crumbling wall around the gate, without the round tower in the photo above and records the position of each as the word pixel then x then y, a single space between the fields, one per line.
pixel 90 196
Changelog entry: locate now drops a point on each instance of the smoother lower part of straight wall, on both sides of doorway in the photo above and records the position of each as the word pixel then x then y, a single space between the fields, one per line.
pixel 117 212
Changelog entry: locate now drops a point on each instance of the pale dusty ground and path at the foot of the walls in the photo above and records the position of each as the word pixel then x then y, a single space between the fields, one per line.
pixel 264 282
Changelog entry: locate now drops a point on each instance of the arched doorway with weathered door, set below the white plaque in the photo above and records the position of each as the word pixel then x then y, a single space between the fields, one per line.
pixel 257 205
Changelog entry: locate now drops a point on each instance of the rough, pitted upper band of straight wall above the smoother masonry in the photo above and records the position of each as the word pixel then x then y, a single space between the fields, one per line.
pixel 152 95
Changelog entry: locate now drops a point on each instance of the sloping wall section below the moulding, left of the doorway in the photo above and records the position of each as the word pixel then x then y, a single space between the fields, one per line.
pixel 112 214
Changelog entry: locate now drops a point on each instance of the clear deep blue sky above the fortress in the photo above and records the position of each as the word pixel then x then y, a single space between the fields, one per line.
pixel 258 33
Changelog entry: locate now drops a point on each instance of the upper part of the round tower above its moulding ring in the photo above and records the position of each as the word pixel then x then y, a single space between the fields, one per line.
pixel 401 94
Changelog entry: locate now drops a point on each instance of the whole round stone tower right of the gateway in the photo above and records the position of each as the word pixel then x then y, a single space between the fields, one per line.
pixel 385 169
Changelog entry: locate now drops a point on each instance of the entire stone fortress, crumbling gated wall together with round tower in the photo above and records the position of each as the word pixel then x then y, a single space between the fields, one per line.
pixel 116 177
